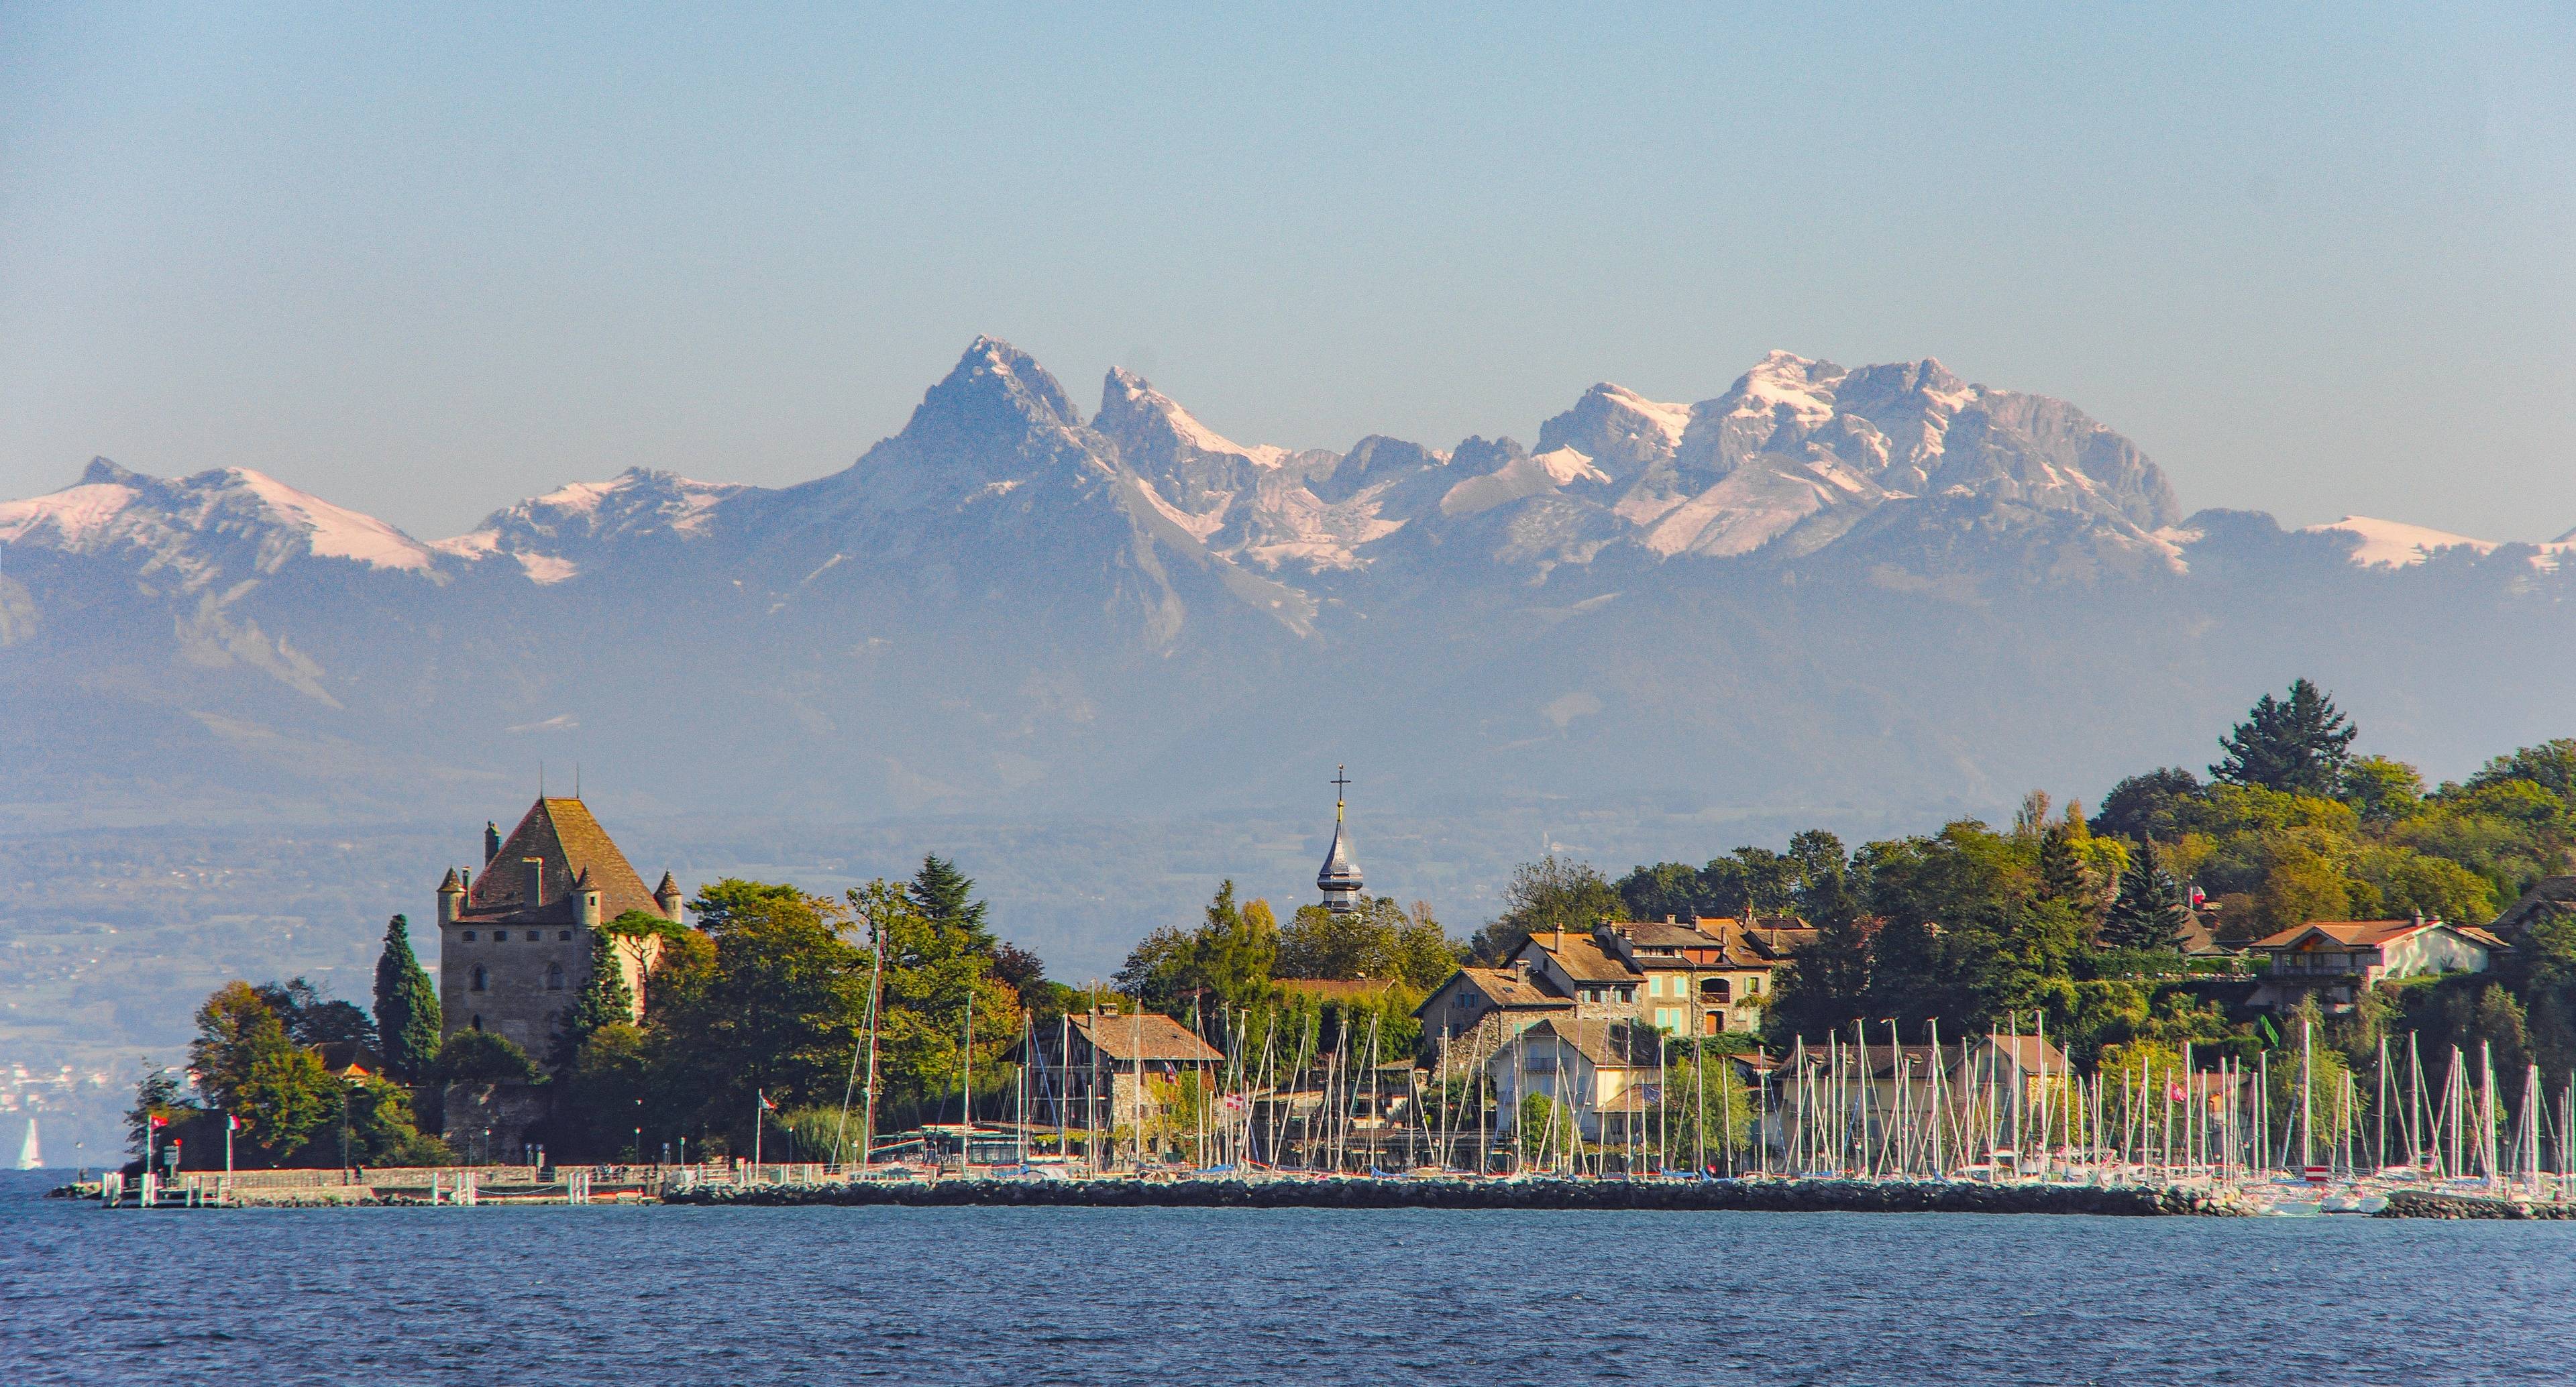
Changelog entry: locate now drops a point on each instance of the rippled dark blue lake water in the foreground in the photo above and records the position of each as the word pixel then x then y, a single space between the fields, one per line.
pixel 648 1296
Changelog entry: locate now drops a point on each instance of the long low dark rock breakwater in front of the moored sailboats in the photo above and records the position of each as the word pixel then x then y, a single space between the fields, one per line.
pixel 1771 1195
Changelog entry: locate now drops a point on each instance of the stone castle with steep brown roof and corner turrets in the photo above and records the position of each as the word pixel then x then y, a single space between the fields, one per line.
pixel 516 943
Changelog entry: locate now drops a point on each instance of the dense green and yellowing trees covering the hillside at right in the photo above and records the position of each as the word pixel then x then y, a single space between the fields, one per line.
pixel 2075 920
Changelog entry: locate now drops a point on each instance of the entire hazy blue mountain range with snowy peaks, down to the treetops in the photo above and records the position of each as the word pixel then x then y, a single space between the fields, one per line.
pixel 1835 585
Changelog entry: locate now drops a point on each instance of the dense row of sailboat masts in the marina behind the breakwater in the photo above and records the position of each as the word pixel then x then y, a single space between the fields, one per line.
pixel 1851 1108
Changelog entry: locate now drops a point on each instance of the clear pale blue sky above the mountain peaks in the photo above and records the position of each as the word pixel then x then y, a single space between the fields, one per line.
pixel 429 261
